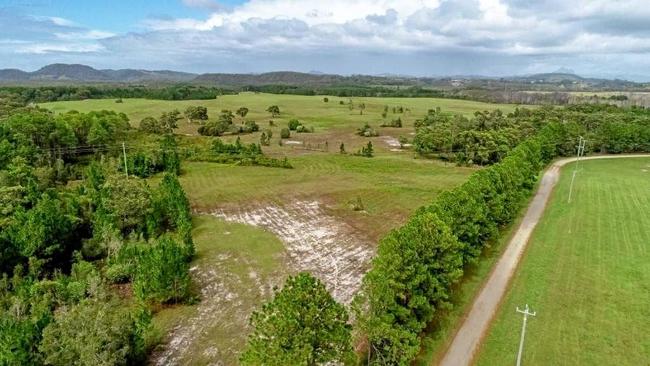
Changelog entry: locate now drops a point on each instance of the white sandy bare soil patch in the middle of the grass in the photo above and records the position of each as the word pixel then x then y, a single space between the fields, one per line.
pixel 316 242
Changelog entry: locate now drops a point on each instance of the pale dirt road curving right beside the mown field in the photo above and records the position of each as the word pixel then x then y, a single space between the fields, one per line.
pixel 467 340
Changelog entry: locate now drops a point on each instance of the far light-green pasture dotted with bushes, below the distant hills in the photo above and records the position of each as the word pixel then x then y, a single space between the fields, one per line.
pixel 333 123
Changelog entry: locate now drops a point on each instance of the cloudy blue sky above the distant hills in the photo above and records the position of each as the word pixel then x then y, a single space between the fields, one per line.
pixel 606 38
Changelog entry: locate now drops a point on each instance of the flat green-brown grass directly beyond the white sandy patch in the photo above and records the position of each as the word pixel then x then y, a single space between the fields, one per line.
pixel 390 186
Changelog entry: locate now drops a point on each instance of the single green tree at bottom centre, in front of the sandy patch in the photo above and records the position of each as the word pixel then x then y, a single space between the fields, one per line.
pixel 302 325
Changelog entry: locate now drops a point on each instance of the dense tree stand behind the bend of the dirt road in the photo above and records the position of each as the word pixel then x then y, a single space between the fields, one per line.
pixel 487 137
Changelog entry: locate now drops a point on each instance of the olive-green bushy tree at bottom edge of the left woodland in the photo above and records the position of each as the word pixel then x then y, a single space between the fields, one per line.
pixel 94 332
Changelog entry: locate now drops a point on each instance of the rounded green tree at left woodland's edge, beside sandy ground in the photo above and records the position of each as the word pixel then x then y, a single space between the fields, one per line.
pixel 162 273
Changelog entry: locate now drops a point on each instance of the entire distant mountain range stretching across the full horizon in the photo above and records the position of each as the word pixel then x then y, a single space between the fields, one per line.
pixel 562 79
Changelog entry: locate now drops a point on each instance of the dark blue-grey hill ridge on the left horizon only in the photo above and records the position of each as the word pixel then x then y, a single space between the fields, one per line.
pixel 84 73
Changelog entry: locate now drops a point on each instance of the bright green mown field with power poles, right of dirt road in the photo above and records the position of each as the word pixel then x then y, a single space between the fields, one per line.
pixel 586 272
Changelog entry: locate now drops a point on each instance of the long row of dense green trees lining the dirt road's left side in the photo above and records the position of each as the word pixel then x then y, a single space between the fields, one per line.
pixel 396 305
